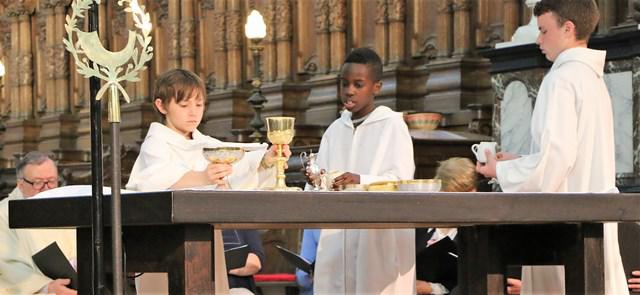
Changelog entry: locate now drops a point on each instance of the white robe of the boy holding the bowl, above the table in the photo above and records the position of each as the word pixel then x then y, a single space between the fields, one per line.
pixel 165 156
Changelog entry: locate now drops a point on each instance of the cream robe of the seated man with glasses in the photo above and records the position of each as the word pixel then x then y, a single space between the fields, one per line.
pixel 18 272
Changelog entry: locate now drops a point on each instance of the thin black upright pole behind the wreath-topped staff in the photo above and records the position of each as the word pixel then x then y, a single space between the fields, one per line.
pixel 97 274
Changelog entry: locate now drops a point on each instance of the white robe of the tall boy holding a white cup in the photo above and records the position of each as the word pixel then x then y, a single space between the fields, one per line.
pixel 572 146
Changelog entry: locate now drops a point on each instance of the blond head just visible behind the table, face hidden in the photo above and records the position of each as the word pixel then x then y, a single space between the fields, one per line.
pixel 457 175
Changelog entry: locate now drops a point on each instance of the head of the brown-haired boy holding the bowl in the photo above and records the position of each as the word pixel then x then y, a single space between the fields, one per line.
pixel 179 96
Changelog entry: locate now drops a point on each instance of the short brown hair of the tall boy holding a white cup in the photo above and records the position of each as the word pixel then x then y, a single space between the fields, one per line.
pixel 583 13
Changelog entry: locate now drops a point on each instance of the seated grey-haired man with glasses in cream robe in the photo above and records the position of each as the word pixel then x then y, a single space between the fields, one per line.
pixel 35 173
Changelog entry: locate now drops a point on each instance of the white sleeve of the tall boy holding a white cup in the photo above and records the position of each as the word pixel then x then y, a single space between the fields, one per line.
pixel 547 169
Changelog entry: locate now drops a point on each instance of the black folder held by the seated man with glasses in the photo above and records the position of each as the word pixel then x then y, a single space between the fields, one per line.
pixel 53 264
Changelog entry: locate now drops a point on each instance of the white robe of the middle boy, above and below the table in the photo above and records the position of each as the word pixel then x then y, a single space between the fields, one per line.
pixel 367 261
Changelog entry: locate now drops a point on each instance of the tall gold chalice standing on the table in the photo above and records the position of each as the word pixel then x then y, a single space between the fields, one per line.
pixel 280 131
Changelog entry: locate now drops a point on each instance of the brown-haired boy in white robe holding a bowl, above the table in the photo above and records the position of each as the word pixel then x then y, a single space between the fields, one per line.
pixel 171 156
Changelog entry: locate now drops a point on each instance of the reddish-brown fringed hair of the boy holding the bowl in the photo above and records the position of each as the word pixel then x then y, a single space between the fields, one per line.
pixel 178 84
